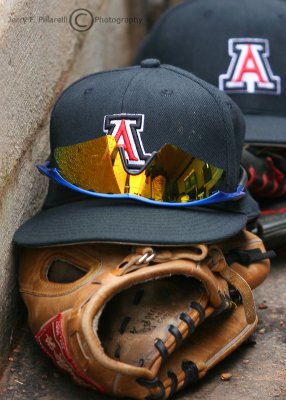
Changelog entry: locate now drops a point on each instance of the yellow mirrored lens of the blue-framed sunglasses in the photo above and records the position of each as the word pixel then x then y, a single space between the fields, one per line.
pixel 172 175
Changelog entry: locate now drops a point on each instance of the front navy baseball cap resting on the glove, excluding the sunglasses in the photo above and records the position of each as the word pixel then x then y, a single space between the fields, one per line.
pixel 166 105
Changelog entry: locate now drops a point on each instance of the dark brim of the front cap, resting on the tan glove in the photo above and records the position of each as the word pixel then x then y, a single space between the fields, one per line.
pixel 125 222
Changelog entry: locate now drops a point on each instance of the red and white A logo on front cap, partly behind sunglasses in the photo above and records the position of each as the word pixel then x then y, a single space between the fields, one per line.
pixel 127 129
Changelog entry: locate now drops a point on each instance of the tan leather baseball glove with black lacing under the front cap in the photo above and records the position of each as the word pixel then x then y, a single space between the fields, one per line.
pixel 144 322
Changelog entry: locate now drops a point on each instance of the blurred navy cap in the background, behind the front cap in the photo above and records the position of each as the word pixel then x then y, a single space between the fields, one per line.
pixel 239 47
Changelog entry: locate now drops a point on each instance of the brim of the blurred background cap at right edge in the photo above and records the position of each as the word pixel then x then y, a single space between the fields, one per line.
pixel 265 130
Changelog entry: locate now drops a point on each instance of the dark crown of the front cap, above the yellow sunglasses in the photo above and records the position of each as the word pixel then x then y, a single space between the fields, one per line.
pixel 160 104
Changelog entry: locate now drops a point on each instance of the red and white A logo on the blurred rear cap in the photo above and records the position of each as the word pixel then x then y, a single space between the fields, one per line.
pixel 249 70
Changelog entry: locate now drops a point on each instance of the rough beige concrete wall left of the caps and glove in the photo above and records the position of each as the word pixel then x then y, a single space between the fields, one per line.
pixel 37 60
